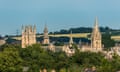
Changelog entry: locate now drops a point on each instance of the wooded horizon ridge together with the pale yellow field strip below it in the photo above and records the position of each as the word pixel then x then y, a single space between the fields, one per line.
pixel 80 32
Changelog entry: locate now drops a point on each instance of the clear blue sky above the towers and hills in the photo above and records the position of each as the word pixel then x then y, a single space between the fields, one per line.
pixel 57 14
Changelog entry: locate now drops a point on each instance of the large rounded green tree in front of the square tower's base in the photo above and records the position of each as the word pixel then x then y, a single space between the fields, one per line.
pixel 36 58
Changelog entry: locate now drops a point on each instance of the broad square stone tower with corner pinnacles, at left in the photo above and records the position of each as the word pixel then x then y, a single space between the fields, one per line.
pixel 28 36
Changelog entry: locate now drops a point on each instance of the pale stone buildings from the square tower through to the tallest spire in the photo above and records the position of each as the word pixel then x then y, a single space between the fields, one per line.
pixel 29 38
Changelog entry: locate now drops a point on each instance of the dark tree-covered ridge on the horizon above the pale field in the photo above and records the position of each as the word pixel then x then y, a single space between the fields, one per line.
pixel 86 30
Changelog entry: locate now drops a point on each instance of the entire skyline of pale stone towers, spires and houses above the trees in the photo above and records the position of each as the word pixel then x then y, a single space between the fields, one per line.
pixel 29 38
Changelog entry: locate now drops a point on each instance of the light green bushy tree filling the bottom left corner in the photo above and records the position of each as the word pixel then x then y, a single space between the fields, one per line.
pixel 10 60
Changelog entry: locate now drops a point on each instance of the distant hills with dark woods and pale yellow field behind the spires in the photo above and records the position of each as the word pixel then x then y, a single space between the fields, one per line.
pixel 80 32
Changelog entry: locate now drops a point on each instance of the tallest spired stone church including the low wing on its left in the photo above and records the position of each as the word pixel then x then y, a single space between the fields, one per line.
pixel 96 40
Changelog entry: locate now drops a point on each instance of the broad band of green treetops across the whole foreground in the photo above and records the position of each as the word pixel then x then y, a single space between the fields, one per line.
pixel 14 58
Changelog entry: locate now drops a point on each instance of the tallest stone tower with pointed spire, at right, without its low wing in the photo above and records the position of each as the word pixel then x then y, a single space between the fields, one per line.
pixel 96 42
